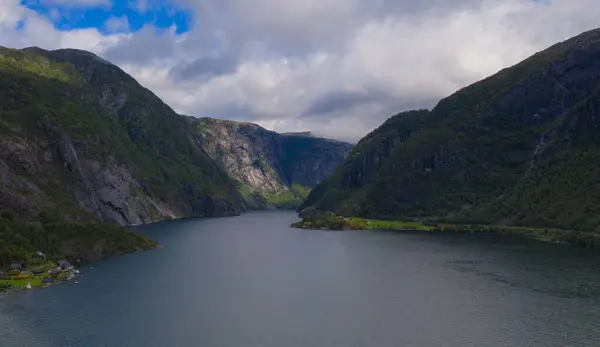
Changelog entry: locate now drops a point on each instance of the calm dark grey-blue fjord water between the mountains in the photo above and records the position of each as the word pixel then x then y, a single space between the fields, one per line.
pixel 251 281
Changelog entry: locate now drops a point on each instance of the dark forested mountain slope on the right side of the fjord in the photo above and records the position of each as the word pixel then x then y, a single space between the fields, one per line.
pixel 518 148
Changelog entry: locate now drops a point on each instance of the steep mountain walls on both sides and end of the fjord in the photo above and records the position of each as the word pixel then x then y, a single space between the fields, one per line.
pixel 86 150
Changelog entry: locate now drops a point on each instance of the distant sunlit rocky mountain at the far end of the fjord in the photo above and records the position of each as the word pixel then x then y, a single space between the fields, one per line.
pixel 271 170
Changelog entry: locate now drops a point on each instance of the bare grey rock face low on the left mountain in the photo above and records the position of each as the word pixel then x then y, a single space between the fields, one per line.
pixel 105 189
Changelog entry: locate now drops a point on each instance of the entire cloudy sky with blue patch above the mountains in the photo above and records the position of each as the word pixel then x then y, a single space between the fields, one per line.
pixel 338 68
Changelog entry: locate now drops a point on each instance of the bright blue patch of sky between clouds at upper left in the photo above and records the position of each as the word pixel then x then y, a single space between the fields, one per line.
pixel 67 16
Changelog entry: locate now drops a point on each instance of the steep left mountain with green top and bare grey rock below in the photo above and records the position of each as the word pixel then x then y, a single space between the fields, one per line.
pixel 82 141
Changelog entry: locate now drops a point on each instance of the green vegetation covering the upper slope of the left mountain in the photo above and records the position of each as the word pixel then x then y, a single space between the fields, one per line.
pixel 139 132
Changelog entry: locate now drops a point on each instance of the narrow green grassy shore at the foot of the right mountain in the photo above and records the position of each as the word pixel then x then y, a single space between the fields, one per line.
pixel 331 222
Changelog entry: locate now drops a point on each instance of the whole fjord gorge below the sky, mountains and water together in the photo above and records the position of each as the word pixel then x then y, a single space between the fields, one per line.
pixel 92 165
